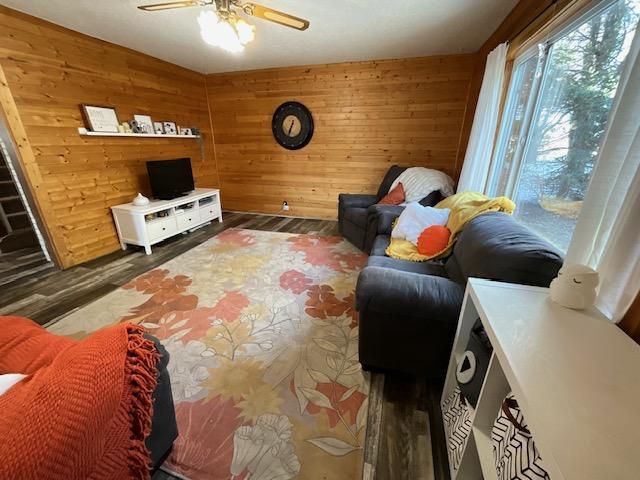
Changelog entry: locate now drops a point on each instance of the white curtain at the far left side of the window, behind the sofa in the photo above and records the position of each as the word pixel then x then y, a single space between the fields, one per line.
pixel 475 168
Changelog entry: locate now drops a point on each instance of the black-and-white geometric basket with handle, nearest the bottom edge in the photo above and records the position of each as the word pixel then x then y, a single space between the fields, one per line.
pixel 514 451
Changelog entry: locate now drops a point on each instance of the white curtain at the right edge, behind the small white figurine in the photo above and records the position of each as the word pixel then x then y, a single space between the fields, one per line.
pixel 607 236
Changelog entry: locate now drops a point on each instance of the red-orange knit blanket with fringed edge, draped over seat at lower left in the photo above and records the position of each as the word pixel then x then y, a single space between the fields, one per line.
pixel 85 409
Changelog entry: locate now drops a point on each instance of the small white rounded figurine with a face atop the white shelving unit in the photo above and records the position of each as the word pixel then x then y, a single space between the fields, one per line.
pixel 575 287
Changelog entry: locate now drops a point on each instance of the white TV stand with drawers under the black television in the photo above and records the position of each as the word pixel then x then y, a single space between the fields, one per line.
pixel 149 224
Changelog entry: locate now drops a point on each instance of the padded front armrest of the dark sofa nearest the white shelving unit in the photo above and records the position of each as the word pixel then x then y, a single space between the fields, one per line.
pixel 405 293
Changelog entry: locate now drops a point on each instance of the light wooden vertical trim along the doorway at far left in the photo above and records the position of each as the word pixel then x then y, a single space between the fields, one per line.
pixel 9 109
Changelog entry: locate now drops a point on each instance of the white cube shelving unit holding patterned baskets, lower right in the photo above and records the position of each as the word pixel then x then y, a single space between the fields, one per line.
pixel 576 377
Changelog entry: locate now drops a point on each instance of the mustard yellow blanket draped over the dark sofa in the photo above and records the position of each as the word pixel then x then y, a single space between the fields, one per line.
pixel 465 206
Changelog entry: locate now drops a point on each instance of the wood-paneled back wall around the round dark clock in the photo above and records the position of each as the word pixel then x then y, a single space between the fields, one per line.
pixel 367 115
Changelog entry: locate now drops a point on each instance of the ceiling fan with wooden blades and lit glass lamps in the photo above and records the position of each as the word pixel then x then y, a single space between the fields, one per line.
pixel 223 27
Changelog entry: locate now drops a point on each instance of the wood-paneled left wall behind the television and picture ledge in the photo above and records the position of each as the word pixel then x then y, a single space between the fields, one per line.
pixel 48 72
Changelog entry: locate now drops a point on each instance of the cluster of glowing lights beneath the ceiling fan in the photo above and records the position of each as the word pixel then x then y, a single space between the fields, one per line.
pixel 224 34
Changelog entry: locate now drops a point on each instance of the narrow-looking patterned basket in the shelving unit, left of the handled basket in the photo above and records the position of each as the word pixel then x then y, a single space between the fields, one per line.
pixel 457 426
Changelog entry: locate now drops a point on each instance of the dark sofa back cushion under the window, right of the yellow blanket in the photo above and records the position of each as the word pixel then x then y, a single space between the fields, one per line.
pixel 495 246
